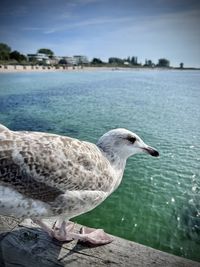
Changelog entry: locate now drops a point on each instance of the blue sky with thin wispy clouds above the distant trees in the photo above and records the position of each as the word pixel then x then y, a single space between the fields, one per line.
pixel 105 28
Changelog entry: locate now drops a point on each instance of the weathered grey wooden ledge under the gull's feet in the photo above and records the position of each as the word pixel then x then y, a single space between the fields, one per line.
pixel 26 245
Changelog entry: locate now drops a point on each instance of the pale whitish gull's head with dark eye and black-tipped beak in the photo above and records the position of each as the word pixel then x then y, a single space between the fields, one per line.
pixel 124 143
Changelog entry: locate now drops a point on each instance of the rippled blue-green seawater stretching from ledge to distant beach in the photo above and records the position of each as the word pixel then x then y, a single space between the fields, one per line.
pixel 158 201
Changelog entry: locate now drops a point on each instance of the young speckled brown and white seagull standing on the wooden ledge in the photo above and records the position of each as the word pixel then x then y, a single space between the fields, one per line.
pixel 45 175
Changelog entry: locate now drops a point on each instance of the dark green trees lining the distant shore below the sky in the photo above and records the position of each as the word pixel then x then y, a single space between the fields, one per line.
pixel 15 57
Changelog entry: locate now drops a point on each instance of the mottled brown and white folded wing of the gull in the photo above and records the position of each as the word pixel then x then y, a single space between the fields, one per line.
pixel 44 166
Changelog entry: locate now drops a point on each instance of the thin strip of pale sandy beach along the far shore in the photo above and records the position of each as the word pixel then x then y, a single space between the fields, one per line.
pixel 29 68
